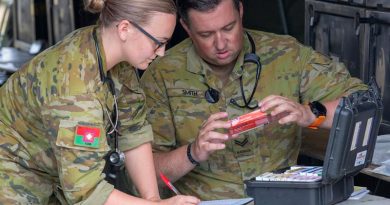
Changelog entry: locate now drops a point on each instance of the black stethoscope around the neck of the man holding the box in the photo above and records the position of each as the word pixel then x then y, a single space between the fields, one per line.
pixel 212 95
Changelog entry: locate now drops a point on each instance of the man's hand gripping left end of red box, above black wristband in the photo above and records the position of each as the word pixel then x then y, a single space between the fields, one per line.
pixel 209 140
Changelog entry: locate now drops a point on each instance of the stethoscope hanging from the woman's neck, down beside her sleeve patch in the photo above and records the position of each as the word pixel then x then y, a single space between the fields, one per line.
pixel 115 157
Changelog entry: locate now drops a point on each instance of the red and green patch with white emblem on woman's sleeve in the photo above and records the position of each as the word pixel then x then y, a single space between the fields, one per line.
pixel 87 136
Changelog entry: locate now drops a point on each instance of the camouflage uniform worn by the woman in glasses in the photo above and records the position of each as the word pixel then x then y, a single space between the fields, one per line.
pixel 40 107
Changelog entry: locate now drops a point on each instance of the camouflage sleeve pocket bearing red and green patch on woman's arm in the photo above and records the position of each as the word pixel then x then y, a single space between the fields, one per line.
pixel 80 166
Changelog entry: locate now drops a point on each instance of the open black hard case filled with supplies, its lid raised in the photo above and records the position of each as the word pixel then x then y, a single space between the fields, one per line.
pixel 357 119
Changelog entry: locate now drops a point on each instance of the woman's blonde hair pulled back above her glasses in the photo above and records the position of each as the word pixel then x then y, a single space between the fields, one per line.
pixel 137 11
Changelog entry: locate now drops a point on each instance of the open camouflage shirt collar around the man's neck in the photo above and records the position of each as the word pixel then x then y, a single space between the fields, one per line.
pixel 195 64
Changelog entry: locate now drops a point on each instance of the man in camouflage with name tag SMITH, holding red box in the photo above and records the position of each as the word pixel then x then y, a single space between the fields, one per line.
pixel 203 81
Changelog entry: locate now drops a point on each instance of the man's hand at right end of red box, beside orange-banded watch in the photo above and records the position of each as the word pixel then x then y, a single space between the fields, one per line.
pixel 287 111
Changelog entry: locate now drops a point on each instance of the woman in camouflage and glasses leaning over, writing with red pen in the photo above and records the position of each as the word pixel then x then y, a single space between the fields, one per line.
pixel 56 108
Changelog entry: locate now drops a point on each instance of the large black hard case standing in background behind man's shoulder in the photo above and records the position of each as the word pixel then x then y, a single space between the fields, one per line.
pixel 357 33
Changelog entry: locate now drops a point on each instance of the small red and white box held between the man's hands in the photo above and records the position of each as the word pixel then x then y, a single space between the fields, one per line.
pixel 248 121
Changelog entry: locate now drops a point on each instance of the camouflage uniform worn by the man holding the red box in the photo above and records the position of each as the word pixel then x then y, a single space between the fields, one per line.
pixel 175 85
